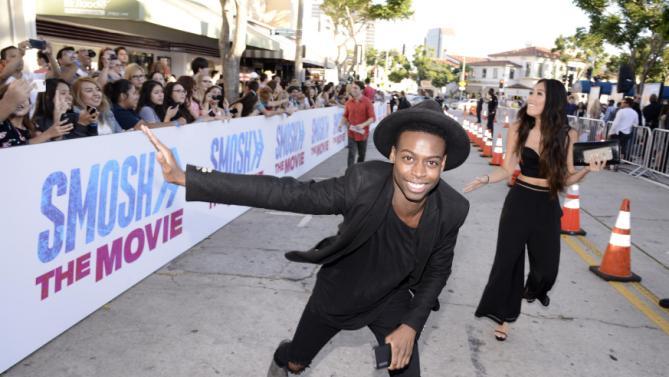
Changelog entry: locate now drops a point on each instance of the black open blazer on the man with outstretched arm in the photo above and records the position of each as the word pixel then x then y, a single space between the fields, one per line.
pixel 363 196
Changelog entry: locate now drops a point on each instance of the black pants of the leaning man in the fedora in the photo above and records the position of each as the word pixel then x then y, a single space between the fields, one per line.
pixel 313 333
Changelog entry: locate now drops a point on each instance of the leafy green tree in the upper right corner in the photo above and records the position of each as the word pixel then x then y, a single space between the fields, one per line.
pixel 640 27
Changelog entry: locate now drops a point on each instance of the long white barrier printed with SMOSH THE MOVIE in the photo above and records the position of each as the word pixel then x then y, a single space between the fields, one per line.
pixel 86 219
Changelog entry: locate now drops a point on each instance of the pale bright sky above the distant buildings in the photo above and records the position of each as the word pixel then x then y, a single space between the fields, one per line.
pixel 485 27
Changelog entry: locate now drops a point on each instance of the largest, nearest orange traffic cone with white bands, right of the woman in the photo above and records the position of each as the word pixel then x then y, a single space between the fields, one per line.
pixel 616 264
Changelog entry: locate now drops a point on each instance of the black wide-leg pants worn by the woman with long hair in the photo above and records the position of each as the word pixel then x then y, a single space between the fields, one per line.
pixel 529 218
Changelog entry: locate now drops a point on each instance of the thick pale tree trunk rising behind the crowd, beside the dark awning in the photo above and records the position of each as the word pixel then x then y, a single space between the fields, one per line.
pixel 231 50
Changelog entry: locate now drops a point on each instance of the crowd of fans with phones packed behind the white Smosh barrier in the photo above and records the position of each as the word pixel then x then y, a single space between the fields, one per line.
pixel 68 98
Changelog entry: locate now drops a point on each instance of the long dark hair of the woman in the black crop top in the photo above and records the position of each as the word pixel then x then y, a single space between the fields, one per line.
pixel 554 135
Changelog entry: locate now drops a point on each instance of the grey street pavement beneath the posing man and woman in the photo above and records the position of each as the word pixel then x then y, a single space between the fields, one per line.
pixel 221 308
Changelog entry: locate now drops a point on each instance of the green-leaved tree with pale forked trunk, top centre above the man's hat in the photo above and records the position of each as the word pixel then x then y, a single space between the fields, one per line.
pixel 350 17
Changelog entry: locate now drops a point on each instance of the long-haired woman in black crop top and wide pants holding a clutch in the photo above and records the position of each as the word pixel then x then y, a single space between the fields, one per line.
pixel 541 141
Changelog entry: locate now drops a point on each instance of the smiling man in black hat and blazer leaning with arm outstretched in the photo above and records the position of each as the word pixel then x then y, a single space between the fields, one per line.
pixel 391 258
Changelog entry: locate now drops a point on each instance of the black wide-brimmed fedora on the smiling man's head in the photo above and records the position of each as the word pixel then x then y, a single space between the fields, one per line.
pixel 427 111
